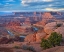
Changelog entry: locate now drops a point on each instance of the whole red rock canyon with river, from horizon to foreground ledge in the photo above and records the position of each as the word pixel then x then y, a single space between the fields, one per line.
pixel 28 28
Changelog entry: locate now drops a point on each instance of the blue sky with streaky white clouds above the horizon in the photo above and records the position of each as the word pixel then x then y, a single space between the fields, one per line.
pixel 31 5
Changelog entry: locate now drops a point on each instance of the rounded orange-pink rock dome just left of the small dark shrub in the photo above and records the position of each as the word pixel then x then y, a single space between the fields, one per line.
pixel 50 27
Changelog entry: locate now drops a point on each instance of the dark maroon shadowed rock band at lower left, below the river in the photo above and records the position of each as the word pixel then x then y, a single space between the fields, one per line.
pixel 5 40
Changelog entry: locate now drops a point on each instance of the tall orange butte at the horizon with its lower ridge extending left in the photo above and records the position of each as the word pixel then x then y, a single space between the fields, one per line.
pixel 46 17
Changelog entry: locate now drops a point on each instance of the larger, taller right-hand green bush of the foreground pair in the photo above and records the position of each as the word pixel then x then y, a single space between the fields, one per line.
pixel 55 39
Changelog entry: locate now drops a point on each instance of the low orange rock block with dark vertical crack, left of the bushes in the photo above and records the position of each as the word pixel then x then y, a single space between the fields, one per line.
pixel 36 37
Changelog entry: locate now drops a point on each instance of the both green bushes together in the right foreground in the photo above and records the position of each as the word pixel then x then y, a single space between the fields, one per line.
pixel 54 40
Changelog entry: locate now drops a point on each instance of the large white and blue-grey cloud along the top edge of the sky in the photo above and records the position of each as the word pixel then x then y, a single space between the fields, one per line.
pixel 28 2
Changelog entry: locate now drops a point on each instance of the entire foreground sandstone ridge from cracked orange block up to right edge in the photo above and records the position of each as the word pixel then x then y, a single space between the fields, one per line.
pixel 46 32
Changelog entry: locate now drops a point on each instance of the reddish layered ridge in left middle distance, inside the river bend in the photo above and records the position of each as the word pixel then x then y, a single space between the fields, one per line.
pixel 17 28
